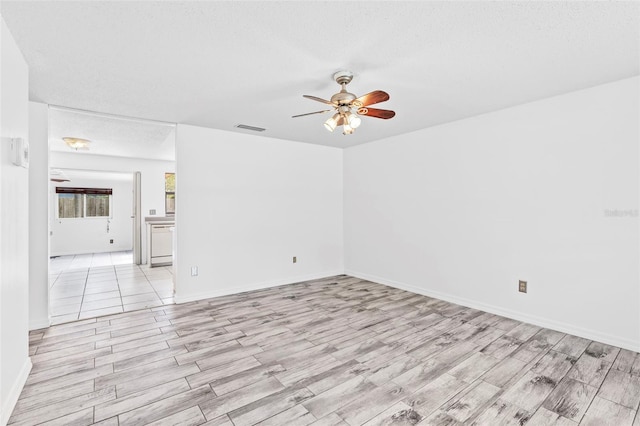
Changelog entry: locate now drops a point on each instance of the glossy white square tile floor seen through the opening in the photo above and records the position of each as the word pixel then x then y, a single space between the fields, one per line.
pixel 91 285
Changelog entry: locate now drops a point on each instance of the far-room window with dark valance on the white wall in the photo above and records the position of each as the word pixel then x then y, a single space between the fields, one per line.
pixel 83 202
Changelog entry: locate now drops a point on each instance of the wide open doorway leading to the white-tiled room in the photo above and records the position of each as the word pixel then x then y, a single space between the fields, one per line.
pixel 101 198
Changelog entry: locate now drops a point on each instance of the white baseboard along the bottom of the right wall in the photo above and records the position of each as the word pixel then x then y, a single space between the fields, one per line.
pixel 622 342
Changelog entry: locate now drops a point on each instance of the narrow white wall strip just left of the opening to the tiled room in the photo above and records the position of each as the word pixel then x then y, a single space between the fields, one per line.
pixel 38 219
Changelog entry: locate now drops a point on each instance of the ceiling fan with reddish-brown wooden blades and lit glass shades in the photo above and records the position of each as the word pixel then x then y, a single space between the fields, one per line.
pixel 348 107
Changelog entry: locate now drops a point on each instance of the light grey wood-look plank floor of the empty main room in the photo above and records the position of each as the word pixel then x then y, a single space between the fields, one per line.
pixel 337 351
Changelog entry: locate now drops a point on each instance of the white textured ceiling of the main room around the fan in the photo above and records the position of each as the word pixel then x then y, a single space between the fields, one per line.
pixel 217 64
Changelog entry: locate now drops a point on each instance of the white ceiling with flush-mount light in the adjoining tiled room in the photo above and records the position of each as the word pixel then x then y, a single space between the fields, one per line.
pixel 112 135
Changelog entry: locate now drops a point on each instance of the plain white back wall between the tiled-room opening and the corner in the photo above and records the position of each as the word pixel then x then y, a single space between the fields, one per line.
pixel 247 204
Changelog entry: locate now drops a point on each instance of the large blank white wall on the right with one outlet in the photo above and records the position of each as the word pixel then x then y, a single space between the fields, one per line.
pixel 464 210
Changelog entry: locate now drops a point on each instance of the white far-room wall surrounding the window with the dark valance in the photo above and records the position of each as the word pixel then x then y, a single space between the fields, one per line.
pixel 93 234
